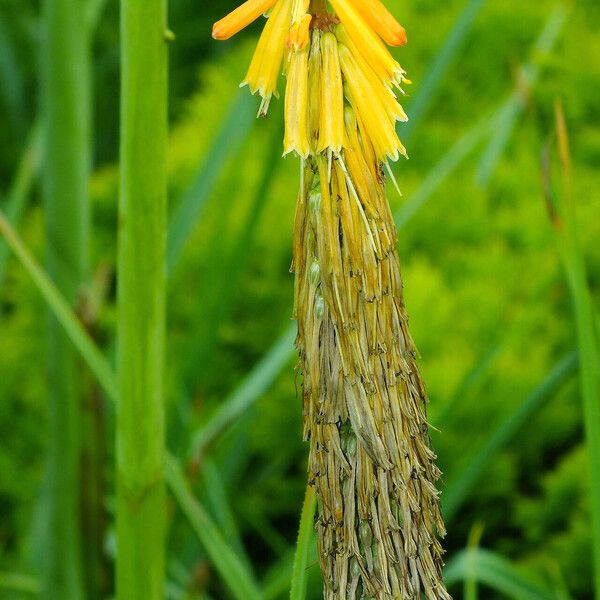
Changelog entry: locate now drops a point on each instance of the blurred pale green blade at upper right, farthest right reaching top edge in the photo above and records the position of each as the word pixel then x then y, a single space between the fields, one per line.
pixel 517 101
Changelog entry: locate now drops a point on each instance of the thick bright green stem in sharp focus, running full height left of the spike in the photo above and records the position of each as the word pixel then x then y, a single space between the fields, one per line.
pixel 141 302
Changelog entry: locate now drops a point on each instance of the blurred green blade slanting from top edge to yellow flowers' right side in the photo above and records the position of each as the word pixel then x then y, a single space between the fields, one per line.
pixel 418 107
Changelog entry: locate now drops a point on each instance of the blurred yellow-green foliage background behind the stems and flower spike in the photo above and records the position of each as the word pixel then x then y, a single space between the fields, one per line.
pixel 483 283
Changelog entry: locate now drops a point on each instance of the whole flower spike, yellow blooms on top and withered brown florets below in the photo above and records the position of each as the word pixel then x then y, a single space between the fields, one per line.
pixel 370 460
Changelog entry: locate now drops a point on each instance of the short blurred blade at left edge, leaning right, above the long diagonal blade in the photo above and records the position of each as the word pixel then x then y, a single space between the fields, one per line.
pixel 20 189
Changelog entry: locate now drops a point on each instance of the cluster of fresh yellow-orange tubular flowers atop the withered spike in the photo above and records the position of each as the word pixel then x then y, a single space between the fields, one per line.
pixel 349 63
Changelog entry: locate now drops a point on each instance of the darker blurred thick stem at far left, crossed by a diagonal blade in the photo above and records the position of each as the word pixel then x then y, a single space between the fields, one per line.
pixel 66 112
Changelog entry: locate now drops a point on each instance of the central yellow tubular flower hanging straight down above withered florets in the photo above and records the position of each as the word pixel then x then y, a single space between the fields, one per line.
pixel 331 125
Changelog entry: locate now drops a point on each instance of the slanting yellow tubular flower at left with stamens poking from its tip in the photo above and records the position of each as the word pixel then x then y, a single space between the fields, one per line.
pixel 266 63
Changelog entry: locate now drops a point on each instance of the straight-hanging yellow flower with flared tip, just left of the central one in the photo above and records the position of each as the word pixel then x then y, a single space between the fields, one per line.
pixel 296 105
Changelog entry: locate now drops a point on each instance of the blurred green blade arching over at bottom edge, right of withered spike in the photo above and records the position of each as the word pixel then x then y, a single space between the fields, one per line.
pixel 496 572
